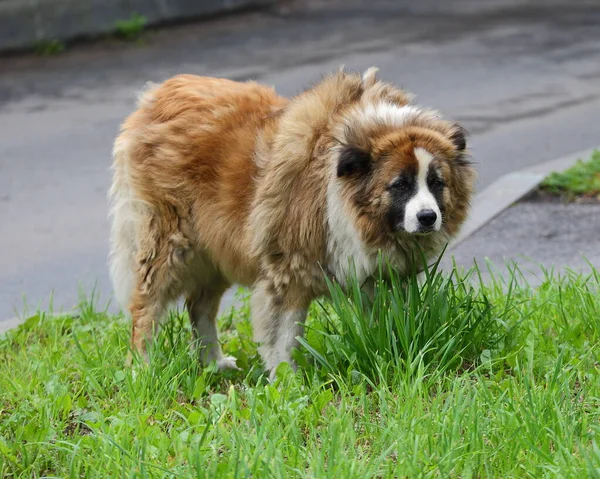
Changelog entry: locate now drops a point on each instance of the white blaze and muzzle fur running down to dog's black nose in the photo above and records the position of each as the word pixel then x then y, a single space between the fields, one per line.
pixel 423 199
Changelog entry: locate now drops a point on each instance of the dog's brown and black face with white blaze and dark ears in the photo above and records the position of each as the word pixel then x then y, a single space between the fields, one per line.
pixel 413 180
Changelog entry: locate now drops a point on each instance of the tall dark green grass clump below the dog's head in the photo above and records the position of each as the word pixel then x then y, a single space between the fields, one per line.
pixel 440 322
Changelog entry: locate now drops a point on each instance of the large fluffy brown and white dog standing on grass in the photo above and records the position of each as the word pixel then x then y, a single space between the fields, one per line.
pixel 217 182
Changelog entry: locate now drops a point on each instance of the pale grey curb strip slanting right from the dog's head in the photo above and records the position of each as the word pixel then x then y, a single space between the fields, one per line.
pixel 510 188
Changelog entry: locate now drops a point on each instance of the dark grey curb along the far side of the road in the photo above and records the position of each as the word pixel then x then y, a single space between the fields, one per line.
pixel 25 23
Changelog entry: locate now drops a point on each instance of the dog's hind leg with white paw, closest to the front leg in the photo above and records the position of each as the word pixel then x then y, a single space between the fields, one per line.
pixel 202 308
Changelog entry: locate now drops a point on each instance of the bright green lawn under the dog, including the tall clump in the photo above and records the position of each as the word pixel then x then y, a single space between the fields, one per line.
pixel 434 379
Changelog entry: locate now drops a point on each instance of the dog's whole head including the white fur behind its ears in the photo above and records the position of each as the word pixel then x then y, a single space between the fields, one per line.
pixel 403 170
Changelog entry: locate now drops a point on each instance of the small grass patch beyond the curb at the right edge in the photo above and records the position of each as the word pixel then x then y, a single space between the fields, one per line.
pixel 581 180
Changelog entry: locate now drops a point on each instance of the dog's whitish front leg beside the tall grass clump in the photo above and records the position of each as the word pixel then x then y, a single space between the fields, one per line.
pixel 278 319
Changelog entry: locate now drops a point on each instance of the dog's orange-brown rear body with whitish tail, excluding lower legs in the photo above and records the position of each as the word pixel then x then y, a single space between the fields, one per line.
pixel 182 175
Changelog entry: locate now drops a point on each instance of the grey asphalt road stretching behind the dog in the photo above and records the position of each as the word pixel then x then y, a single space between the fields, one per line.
pixel 523 77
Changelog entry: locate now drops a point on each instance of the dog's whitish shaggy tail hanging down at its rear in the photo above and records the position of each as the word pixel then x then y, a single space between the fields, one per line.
pixel 126 213
